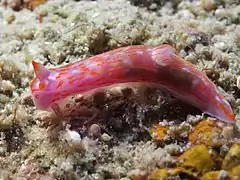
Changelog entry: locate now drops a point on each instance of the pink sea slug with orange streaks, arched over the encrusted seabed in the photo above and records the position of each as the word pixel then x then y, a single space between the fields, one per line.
pixel 156 65
